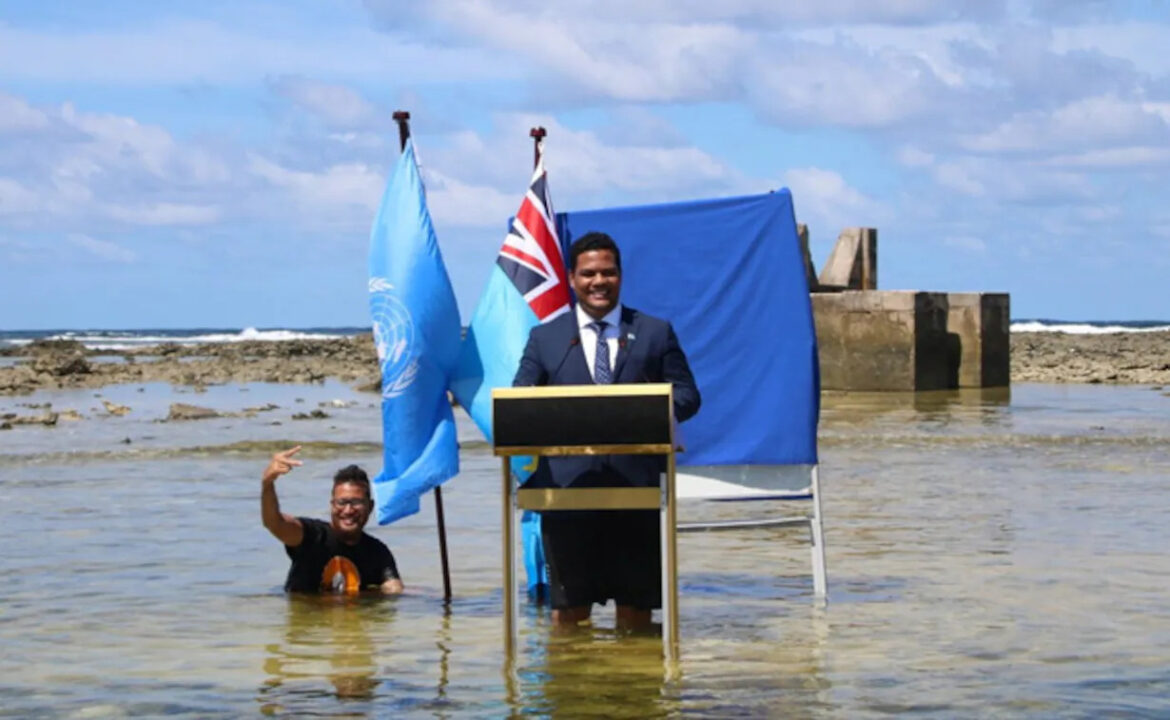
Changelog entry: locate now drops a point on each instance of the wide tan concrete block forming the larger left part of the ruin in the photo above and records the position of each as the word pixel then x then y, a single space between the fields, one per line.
pixel 873 340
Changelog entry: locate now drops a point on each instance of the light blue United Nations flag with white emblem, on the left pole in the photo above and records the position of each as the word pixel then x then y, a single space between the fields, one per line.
pixel 417 334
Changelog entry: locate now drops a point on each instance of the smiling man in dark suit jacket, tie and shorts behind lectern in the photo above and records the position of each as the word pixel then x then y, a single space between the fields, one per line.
pixel 598 556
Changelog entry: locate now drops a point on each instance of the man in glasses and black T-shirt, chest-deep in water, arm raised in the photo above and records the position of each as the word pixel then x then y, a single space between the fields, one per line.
pixel 335 557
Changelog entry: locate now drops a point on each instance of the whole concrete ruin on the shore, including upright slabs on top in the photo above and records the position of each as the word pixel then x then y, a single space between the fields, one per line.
pixel 901 340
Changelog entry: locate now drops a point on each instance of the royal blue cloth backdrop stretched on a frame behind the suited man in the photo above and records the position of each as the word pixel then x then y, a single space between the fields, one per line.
pixel 729 276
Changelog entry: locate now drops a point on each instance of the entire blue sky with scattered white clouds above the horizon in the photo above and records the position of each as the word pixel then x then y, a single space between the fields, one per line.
pixel 218 164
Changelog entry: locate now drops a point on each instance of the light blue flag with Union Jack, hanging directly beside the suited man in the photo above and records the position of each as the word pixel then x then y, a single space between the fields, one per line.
pixel 527 286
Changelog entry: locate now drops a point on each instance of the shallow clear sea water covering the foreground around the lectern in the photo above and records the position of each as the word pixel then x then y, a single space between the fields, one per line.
pixel 990 554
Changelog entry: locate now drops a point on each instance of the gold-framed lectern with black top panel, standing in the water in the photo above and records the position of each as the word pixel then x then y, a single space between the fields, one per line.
pixel 588 421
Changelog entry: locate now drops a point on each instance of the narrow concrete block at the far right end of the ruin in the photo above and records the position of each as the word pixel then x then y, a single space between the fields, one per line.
pixel 979 339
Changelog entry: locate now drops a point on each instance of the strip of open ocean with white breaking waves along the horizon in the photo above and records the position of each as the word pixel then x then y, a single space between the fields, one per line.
pixel 125 339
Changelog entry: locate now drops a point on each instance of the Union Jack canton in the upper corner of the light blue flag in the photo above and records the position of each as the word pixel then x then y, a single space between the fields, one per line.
pixel 531 256
